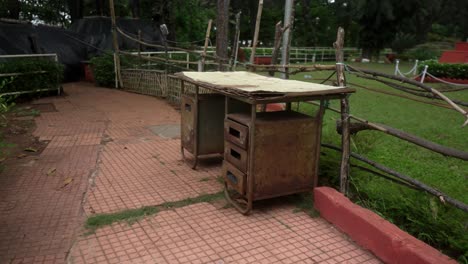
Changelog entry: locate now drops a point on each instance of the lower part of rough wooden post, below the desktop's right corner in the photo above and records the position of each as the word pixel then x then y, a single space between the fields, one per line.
pixel 345 146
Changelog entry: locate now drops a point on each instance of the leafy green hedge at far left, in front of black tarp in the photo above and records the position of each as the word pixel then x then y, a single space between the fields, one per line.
pixel 37 73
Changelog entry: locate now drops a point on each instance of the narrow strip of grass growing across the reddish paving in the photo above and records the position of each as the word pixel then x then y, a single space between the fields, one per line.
pixel 133 215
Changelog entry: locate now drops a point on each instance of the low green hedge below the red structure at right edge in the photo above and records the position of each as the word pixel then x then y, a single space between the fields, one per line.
pixel 448 70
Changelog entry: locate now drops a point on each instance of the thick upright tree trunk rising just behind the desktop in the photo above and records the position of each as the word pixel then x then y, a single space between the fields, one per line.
pixel 222 23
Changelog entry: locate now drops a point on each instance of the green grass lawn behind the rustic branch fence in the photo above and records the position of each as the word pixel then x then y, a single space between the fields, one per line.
pixel 420 214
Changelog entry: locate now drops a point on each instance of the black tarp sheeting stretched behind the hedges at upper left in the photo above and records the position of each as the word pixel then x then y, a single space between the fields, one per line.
pixel 85 38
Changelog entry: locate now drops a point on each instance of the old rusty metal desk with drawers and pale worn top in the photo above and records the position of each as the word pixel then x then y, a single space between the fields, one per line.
pixel 265 154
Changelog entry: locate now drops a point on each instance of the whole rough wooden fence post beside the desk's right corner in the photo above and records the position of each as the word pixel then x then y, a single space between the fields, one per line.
pixel 345 139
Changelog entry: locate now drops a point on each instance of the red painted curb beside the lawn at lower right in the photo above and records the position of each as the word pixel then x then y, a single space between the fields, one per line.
pixel 385 240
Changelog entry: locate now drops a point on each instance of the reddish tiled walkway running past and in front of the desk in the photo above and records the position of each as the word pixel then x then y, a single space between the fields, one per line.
pixel 104 157
